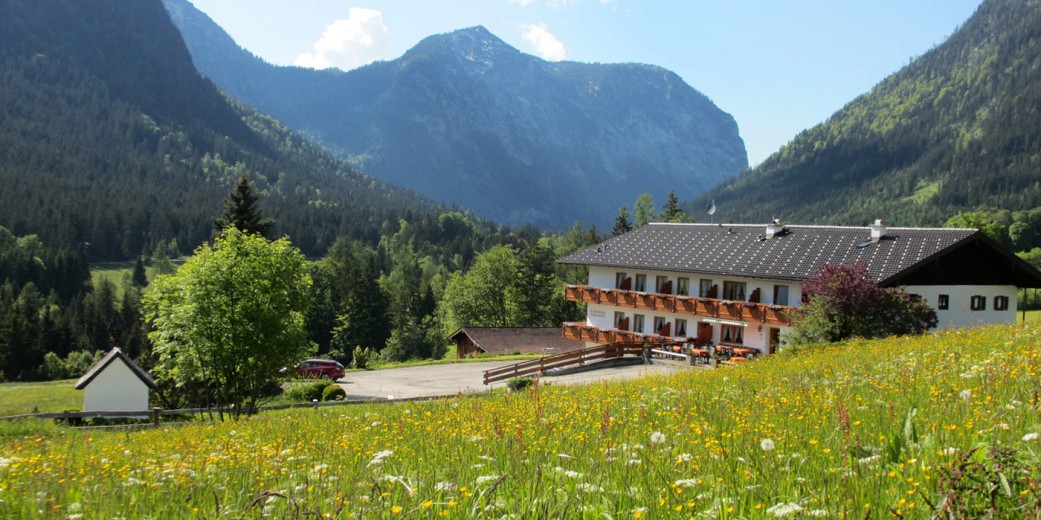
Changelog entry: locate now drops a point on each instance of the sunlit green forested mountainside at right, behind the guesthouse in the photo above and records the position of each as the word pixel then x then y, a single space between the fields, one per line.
pixel 957 129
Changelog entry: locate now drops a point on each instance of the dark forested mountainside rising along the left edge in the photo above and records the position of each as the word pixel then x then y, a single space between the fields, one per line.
pixel 110 138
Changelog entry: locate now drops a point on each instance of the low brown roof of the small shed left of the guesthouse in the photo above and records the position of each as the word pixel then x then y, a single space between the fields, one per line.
pixel 498 342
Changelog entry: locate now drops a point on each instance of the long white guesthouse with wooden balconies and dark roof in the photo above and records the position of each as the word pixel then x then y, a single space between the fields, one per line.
pixel 734 285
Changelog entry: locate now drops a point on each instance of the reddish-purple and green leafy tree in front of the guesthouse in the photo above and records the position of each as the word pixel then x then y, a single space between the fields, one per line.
pixel 841 303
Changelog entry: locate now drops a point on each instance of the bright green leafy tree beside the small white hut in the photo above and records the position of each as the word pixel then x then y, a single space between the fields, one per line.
pixel 231 318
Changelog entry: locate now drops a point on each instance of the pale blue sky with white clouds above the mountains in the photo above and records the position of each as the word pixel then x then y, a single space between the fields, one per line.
pixel 777 66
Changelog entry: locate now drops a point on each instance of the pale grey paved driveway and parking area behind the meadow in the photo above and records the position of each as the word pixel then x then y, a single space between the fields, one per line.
pixel 454 379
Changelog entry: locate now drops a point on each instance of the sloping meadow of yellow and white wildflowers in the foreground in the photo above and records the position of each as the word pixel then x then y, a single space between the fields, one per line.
pixel 942 425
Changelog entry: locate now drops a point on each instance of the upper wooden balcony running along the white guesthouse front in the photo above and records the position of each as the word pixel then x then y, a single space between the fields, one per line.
pixel 707 307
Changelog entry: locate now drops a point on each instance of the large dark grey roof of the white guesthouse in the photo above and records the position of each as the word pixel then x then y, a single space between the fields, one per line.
pixel 794 254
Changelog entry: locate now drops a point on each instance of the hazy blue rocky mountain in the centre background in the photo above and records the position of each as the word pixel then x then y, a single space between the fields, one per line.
pixel 467 119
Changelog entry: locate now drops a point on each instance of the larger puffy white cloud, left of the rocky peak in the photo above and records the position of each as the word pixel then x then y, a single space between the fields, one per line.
pixel 358 40
